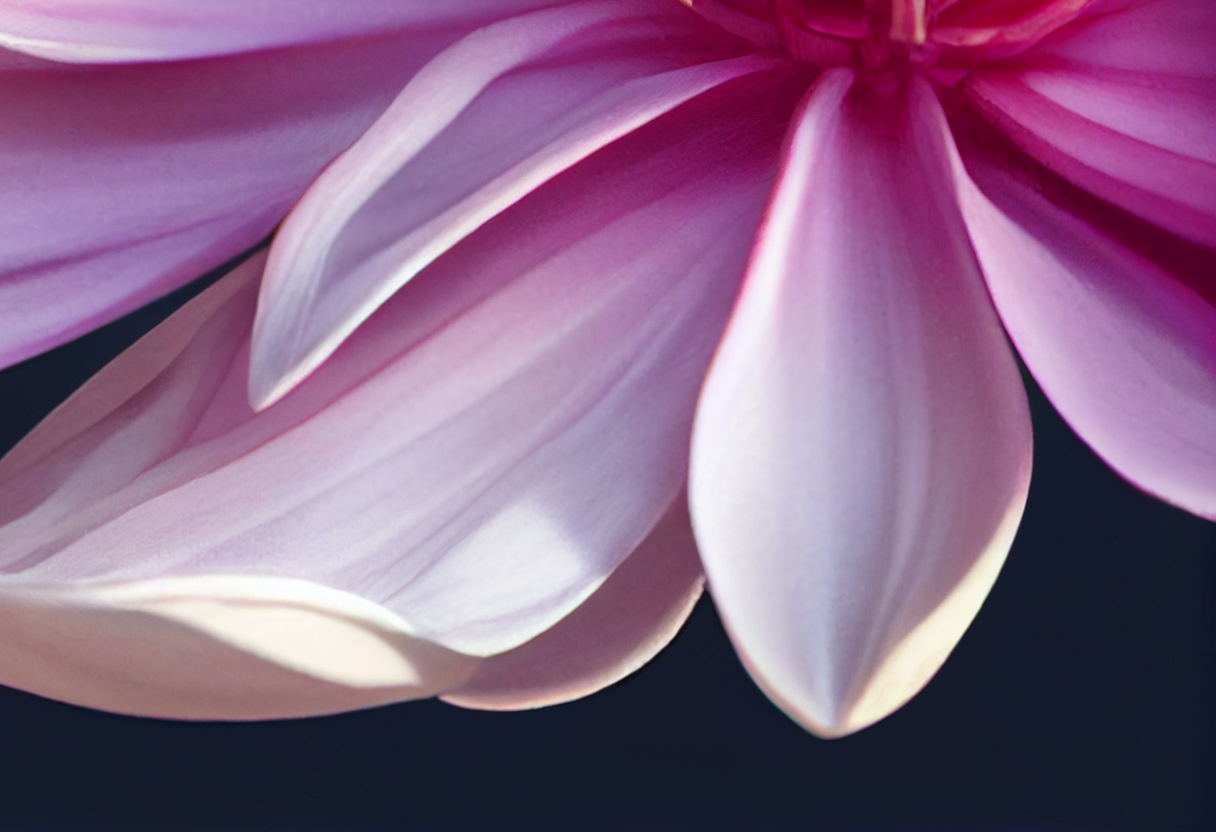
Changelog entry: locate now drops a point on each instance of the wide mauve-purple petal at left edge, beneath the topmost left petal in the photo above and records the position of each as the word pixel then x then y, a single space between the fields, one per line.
pixel 123 183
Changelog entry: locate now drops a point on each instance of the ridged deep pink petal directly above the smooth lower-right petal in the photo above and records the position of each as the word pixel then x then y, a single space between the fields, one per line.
pixel 1163 172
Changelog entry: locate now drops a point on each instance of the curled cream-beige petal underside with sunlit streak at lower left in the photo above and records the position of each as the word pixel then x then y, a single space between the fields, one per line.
pixel 216 649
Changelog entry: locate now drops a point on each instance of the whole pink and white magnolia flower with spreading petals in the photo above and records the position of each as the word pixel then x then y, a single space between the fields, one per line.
pixel 797 232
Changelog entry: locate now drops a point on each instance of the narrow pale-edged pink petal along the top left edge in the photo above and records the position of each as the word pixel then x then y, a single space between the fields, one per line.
pixel 127 31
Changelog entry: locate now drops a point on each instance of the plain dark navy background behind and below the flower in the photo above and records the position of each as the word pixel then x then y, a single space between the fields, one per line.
pixel 1082 699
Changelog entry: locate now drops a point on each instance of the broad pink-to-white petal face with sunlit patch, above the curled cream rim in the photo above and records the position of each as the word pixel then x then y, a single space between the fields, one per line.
pixel 478 458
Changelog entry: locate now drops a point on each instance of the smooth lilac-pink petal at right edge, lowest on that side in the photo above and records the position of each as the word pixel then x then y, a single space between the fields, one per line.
pixel 1127 353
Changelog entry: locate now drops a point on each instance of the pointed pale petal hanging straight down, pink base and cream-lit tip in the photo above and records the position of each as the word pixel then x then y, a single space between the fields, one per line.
pixel 863 447
